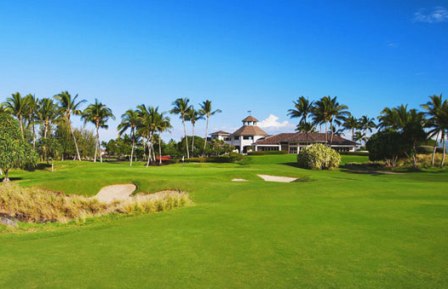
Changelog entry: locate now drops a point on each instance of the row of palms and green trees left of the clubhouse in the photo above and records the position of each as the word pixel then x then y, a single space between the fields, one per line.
pixel 46 124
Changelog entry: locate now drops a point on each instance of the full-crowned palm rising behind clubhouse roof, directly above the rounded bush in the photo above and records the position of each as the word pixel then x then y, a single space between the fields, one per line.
pixel 329 111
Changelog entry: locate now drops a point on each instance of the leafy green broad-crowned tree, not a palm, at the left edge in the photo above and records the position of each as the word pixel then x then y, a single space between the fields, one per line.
pixel 14 151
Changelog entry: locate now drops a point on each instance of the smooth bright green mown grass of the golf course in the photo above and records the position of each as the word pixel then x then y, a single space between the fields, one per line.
pixel 333 229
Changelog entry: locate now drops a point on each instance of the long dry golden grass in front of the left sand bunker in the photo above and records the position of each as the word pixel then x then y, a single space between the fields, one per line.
pixel 39 206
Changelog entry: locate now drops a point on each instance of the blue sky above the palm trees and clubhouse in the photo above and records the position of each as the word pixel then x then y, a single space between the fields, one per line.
pixel 243 55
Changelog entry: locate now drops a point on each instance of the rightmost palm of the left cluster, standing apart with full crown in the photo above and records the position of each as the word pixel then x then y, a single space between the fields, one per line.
pixel 98 114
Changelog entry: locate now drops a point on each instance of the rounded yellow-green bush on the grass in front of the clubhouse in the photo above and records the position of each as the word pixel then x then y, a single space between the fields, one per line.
pixel 318 156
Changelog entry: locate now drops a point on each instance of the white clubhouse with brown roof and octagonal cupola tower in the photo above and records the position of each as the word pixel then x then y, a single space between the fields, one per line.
pixel 250 137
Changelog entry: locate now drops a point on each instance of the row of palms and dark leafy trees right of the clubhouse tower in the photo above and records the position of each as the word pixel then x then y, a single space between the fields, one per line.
pixel 400 130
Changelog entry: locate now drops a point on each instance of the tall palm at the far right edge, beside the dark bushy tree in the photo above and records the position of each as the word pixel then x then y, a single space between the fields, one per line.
pixel 437 112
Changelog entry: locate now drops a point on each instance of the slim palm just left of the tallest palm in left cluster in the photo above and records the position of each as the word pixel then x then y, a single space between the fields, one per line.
pixel 47 114
